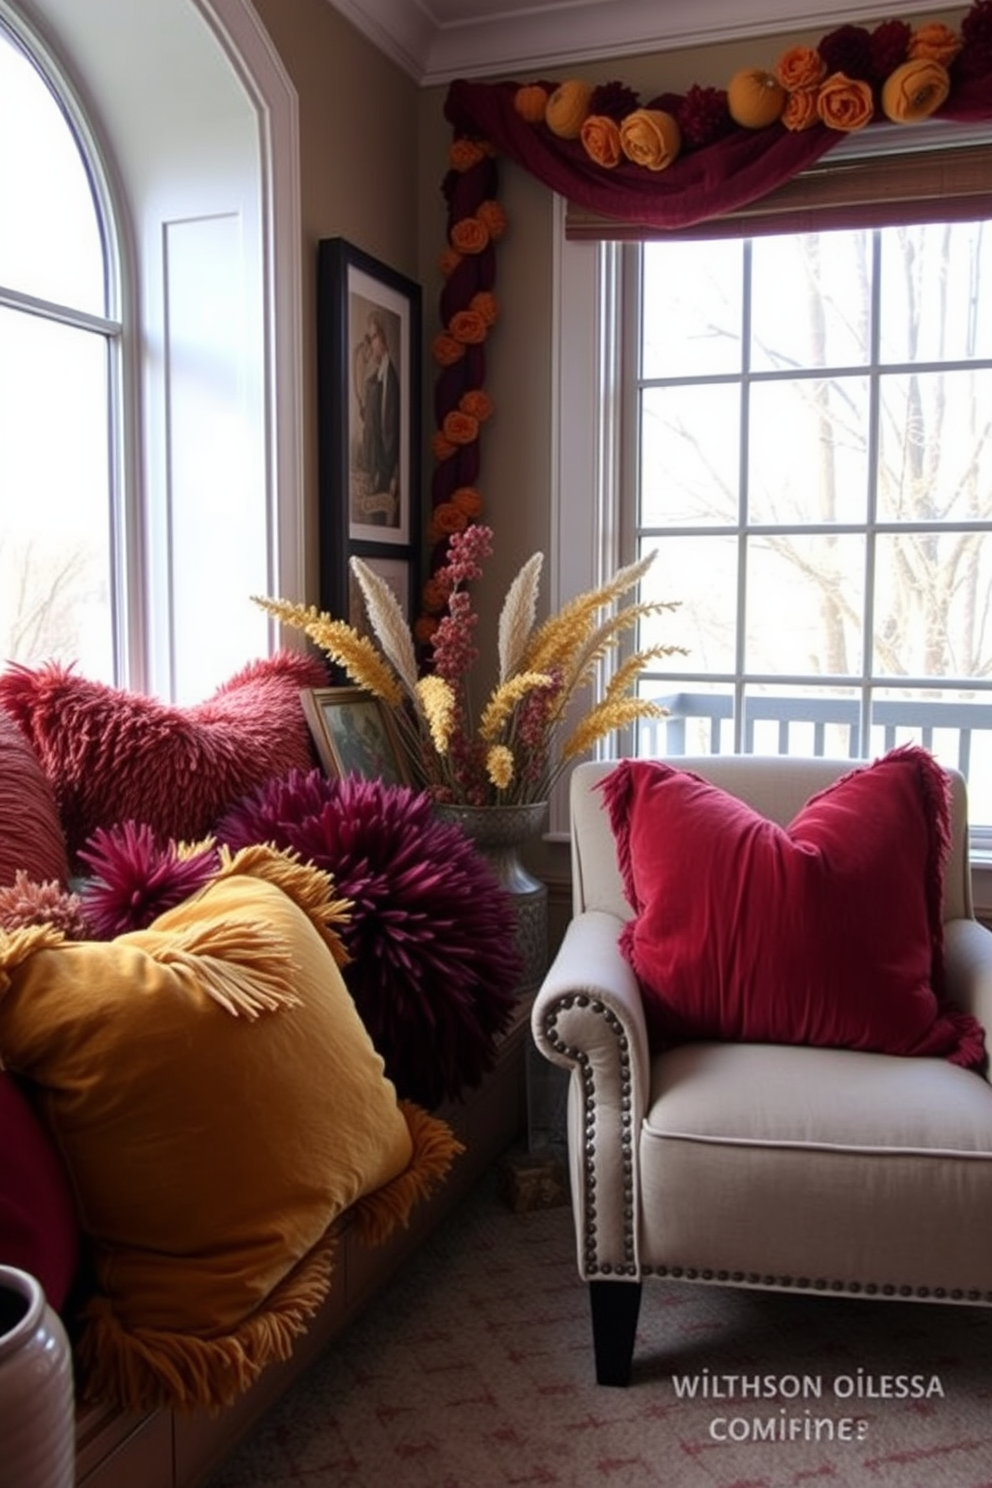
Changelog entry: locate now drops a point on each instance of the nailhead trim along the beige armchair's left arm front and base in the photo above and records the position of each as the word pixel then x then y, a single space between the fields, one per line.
pixel 630 1269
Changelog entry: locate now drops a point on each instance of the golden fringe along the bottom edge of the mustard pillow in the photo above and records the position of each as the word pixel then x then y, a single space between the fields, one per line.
pixel 142 1370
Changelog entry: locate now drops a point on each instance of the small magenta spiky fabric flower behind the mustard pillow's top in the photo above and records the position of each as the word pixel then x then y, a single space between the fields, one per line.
pixel 136 879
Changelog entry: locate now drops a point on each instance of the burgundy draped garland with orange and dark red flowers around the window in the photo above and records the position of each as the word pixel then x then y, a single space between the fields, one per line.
pixel 673 161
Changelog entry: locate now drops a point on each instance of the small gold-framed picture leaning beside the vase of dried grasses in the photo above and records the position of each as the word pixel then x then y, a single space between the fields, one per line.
pixel 355 734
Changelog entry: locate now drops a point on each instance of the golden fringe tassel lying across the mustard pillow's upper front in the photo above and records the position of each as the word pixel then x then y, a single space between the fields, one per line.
pixel 243 968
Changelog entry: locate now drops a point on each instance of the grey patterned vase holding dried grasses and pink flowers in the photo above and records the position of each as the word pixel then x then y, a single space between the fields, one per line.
pixel 500 833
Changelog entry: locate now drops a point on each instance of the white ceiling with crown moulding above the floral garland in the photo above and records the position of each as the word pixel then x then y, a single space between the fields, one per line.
pixel 437 41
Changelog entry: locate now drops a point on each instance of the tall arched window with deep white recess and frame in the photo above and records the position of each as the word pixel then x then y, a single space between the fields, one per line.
pixel 151 441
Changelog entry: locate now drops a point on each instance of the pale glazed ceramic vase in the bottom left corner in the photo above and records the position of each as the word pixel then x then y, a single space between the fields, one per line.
pixel 38 1417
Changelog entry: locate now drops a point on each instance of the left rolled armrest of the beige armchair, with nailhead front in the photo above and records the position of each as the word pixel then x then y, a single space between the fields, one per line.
pixel 588 1017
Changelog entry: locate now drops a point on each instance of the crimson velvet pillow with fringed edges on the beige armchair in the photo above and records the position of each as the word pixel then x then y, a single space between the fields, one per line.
pixel 828 932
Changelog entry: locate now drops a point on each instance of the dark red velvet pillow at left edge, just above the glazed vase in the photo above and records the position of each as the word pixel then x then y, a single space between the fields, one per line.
pixel 39 1225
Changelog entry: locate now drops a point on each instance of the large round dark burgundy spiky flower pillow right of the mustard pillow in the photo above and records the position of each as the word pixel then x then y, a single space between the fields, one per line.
pixel 432 935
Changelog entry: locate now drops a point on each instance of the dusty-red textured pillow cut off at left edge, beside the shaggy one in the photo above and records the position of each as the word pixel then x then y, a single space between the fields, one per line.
pixel 30 831
